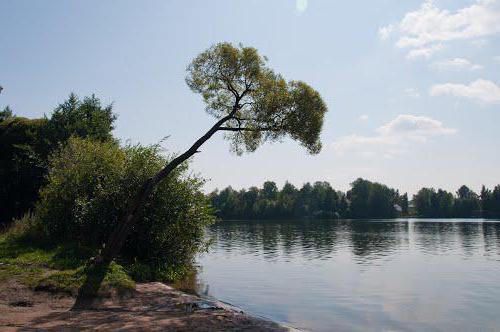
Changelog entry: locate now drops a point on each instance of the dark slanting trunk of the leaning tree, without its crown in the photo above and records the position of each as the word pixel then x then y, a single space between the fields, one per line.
pixel 97 269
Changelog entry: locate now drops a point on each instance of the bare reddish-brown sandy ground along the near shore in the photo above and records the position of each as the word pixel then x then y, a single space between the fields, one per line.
pixel 152 307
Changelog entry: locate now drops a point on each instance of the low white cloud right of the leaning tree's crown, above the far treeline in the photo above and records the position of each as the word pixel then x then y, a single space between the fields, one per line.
pixel 394 137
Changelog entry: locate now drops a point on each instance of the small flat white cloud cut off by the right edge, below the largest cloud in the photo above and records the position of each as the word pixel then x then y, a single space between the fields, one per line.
pixel 480 90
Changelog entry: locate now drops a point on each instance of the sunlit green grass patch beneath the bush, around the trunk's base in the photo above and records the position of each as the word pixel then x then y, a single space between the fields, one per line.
pixel 58 269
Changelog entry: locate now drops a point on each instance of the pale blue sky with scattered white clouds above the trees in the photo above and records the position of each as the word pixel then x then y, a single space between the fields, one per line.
pixel 412 87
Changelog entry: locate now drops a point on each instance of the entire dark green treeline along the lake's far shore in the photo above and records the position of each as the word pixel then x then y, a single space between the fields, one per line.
pixel 365 199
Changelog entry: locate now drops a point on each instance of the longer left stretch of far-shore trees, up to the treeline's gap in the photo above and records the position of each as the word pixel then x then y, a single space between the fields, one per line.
pixel 319 200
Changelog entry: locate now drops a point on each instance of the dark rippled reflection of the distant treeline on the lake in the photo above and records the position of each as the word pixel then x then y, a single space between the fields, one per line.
pixel 367 240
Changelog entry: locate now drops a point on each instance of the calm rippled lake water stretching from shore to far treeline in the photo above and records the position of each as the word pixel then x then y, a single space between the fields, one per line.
pixel 377 275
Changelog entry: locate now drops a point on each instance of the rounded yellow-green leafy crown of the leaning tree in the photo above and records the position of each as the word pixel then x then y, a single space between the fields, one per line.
pixel 268 107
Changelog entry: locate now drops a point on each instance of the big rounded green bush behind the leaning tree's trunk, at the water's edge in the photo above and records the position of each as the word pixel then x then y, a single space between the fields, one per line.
pixel 89 186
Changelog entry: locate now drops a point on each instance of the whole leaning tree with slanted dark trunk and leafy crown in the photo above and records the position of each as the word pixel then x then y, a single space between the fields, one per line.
pixel 252 105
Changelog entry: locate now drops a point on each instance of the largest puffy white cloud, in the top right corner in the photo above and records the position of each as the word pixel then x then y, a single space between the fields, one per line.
pixel 425 28
